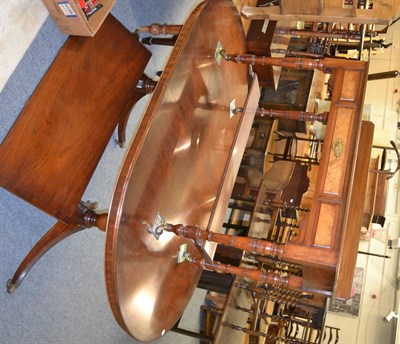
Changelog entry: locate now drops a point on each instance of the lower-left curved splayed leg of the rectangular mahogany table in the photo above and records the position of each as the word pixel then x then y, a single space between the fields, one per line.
pixel 57 233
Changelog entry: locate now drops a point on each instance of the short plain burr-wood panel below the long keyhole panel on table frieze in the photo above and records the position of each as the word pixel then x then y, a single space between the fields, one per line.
pixel 327 222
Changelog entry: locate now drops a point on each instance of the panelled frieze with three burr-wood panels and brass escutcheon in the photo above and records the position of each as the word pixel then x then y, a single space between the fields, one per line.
pixel 326 237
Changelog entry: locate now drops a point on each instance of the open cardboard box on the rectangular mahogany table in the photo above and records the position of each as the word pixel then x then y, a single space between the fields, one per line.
pixel 71 20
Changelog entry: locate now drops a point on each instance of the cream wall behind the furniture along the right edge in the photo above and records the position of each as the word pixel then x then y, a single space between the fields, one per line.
pixel 380 274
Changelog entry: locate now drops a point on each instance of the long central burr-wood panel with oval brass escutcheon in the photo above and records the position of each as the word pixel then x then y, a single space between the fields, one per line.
pixel 337 164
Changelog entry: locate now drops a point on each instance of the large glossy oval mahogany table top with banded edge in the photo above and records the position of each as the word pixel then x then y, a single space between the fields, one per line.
pixel 181 164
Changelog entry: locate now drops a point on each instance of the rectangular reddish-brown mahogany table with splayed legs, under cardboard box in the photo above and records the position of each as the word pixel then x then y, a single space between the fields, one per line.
pixel 53 148
